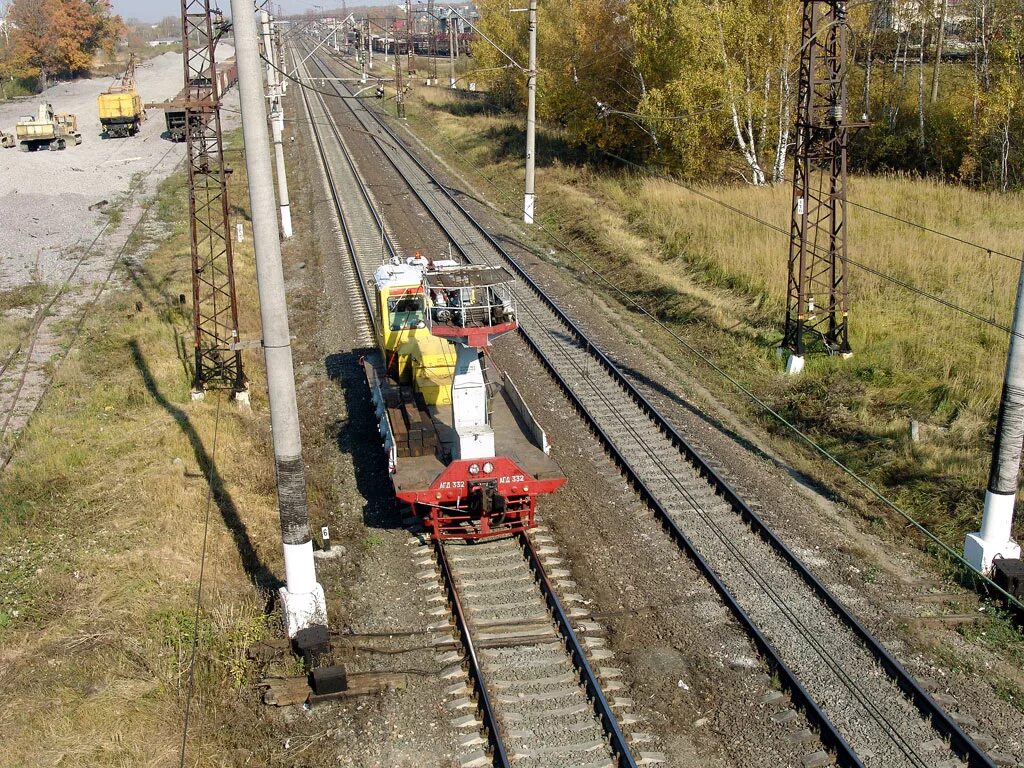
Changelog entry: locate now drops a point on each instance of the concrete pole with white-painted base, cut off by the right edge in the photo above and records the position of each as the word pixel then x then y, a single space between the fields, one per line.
pixel 995 539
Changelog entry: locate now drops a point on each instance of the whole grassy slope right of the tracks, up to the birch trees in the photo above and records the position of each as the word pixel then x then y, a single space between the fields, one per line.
pixel 720 279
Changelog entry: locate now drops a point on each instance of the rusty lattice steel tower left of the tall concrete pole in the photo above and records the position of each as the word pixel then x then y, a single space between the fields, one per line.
pixel 215 307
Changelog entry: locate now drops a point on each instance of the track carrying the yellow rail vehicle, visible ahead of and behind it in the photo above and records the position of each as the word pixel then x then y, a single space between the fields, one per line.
pixel 541 702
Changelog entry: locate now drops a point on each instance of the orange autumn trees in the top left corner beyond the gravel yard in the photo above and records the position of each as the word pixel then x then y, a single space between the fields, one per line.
pixel 47 40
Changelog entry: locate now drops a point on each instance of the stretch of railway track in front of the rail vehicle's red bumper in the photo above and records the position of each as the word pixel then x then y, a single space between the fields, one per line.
pixel 532 674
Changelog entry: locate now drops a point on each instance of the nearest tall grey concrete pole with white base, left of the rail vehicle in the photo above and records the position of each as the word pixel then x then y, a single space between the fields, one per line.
pixel 303 600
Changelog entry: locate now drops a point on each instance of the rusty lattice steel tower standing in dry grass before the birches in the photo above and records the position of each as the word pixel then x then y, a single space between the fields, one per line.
pixel 818 306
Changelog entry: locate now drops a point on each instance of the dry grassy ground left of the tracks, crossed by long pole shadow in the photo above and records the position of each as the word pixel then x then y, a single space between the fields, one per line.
pixel 102 524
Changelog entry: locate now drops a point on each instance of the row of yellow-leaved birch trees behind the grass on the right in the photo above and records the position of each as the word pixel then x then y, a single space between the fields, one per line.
pixel 708 88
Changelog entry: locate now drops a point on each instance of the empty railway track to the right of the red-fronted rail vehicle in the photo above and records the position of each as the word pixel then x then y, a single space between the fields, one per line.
pixel 870 711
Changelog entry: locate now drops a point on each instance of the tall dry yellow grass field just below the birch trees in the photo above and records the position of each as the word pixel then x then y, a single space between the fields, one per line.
pixel 888 323
